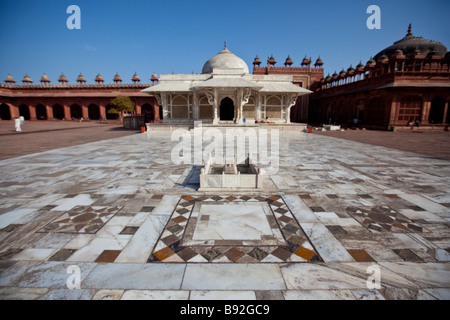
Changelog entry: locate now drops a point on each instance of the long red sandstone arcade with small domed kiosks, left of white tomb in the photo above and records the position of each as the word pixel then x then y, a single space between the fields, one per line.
pixel 48 101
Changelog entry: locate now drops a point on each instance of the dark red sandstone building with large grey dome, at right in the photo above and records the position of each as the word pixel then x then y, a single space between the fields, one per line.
pixel 406 82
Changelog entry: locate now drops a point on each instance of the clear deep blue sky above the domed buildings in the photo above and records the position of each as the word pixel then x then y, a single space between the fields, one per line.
pixel 179 36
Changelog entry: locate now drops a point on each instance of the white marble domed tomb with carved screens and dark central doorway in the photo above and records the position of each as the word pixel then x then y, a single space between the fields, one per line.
pixel 225 93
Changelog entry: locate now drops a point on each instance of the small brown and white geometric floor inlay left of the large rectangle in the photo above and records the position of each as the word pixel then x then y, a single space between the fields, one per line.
pixel 81 219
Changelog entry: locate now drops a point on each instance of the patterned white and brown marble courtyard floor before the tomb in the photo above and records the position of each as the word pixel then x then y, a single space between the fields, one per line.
pixel 135 227
